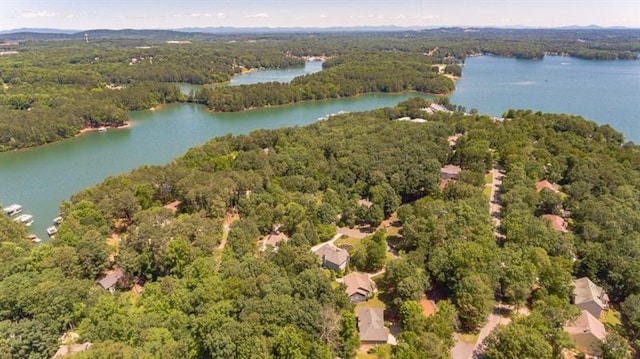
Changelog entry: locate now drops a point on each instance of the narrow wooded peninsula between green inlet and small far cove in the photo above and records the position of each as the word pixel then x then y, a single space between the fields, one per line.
pixel 342 76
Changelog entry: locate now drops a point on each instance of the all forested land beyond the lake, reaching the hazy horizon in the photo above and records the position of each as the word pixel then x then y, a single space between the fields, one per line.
pixel 53 85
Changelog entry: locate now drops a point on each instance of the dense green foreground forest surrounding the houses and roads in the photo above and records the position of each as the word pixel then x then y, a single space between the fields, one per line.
pixel 197 285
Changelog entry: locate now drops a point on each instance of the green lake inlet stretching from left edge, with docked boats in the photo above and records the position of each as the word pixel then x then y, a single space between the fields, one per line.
pixel 40 178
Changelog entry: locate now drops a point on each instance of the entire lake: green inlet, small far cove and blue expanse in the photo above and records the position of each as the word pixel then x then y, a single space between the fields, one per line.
pixel 40 178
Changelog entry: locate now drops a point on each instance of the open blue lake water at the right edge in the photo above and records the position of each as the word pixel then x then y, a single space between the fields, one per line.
pixel 607 92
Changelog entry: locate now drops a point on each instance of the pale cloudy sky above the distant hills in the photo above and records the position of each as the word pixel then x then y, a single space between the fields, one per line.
pixel 173 14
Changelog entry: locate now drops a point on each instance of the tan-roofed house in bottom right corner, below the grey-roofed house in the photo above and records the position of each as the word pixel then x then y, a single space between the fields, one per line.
pixel 587 332
